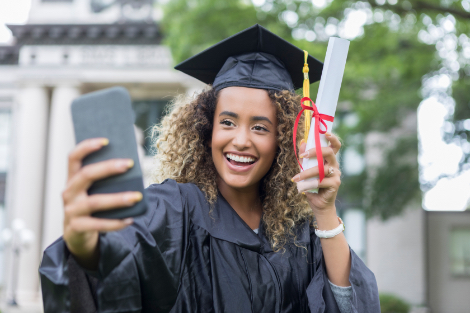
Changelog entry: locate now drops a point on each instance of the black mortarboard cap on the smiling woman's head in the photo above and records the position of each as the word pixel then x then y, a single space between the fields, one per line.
pixel 254 58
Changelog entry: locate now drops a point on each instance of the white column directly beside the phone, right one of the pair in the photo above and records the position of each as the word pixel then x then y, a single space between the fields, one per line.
pixel 61 142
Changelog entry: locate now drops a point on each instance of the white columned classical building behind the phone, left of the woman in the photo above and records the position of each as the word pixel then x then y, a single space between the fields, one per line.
pixel 63 51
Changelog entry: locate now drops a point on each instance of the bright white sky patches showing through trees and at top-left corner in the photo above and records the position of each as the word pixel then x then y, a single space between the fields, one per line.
pixel 436 156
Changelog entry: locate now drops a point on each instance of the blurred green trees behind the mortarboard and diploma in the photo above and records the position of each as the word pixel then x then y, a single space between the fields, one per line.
pixel 397 47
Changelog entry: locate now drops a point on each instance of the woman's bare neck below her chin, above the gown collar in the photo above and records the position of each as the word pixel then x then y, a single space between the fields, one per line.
pixel 245 201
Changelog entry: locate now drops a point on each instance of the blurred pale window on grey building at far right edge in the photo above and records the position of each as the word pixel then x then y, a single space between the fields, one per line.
pixel 460 251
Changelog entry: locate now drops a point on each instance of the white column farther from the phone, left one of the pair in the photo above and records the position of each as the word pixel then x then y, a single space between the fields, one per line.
pixel 28 156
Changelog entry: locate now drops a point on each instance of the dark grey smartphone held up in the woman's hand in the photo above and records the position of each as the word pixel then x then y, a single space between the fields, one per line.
pixel 108 113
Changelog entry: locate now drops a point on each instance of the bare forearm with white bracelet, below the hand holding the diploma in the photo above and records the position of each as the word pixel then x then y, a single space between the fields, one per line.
pixel 335 250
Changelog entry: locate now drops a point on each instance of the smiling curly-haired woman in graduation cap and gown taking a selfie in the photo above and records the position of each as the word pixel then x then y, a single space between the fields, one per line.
pixel 228 231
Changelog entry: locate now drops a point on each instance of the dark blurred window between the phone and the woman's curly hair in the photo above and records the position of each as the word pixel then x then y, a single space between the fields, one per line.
pixel 147 114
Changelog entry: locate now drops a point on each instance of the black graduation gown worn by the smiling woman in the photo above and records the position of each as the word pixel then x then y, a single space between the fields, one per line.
pixel 179 257
